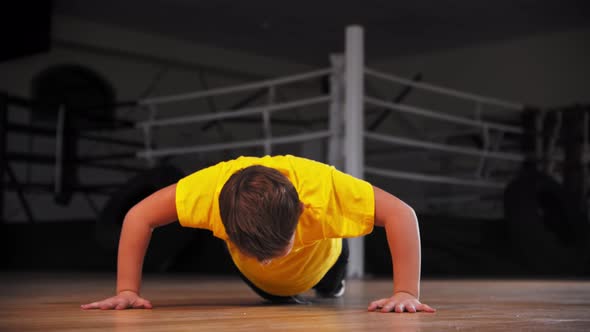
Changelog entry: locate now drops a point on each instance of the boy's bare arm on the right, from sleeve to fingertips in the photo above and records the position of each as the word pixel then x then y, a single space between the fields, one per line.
pixel 403 237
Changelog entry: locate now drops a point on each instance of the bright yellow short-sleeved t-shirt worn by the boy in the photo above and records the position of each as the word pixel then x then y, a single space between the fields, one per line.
pixel 337 205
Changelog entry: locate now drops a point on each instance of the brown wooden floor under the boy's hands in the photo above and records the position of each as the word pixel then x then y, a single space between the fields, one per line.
pixel 50 302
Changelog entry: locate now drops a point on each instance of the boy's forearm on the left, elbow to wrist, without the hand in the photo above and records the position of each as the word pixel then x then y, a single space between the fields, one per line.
pixel 135 237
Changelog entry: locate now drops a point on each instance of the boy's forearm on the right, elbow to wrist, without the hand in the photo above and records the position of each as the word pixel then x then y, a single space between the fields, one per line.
pixel 403 238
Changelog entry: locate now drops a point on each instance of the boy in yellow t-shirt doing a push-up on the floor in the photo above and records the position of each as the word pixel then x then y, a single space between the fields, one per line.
pixel 283 219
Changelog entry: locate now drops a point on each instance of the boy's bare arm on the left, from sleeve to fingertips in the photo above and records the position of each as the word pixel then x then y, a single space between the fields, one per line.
pixel 156 210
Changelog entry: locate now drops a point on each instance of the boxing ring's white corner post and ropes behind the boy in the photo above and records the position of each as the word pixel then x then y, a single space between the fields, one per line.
pixel 345 135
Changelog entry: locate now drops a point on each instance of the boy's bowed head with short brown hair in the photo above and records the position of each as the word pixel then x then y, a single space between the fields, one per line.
pixel 259 208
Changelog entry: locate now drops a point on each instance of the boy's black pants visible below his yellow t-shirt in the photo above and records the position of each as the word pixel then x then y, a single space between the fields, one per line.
pixel 328 285
